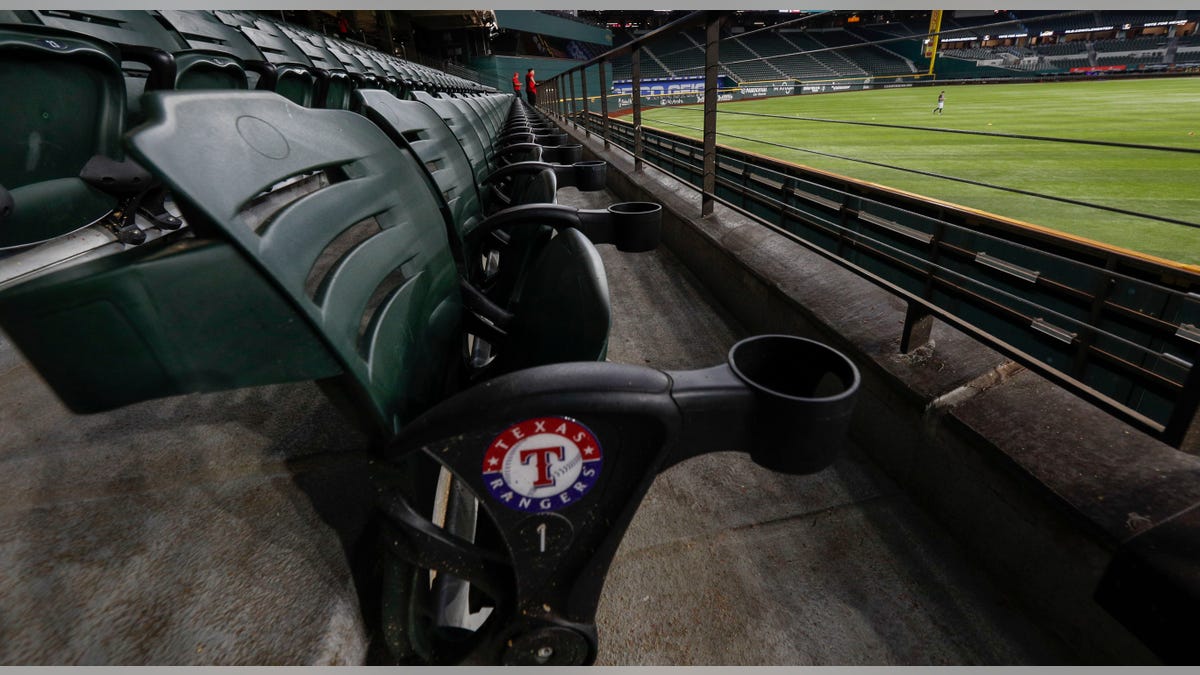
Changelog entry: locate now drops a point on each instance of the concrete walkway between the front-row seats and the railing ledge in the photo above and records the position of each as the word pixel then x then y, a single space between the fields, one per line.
pixel 730 564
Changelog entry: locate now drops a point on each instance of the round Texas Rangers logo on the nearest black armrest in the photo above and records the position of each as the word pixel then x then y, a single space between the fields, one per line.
pixel 543 464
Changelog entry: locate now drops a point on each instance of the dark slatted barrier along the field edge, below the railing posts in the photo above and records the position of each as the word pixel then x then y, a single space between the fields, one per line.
pixel 857 217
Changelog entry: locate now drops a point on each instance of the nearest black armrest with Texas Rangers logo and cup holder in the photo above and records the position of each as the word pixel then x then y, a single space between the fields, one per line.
pixel 787 402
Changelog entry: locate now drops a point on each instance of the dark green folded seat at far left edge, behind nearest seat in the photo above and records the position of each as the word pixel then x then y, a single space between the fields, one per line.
pixel 63 103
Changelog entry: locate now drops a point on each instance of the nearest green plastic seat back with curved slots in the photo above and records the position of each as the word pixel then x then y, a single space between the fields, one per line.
pixel 365 259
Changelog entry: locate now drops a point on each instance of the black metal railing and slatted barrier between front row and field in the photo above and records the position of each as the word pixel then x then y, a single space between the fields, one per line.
pixel 1118 330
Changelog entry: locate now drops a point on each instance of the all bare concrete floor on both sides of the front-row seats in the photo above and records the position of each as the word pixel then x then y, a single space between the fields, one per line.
pixel 209 529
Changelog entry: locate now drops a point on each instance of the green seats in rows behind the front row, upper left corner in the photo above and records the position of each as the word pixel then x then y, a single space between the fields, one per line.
pixel 63 168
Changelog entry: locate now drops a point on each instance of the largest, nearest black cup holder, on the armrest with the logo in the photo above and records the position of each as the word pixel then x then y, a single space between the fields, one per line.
pixel 805 397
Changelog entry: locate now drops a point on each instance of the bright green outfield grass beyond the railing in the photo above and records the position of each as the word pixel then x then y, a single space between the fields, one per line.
pixel 1155 112
